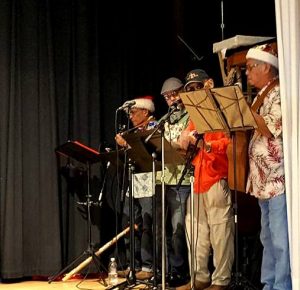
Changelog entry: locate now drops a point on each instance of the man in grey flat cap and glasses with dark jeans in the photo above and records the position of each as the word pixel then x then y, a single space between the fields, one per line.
pixel 177 254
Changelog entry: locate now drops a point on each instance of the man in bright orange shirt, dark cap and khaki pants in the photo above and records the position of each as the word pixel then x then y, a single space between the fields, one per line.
pixel 213 212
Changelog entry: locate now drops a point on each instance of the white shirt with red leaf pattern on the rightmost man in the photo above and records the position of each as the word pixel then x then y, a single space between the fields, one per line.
pixel 266 172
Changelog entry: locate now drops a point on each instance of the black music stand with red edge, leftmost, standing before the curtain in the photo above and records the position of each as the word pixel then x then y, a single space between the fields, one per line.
pixel 88 156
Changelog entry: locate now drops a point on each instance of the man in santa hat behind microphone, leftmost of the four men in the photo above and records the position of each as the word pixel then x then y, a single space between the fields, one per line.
pixel 141 116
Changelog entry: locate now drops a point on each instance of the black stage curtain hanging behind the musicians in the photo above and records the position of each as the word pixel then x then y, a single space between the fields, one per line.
pixel 65 66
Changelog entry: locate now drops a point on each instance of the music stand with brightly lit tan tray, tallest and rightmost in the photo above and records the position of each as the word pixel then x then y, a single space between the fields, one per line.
pixel 223 109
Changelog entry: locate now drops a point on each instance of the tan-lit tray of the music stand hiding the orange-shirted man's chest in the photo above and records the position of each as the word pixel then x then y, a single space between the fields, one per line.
pixel 219 109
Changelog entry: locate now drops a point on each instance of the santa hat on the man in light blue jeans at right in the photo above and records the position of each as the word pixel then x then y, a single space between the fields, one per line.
pixel 265 53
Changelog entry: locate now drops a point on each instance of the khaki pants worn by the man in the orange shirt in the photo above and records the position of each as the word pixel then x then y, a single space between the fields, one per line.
pixel 213 229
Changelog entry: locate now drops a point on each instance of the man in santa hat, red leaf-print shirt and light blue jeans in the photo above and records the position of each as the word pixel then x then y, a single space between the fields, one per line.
pixel 266 179
